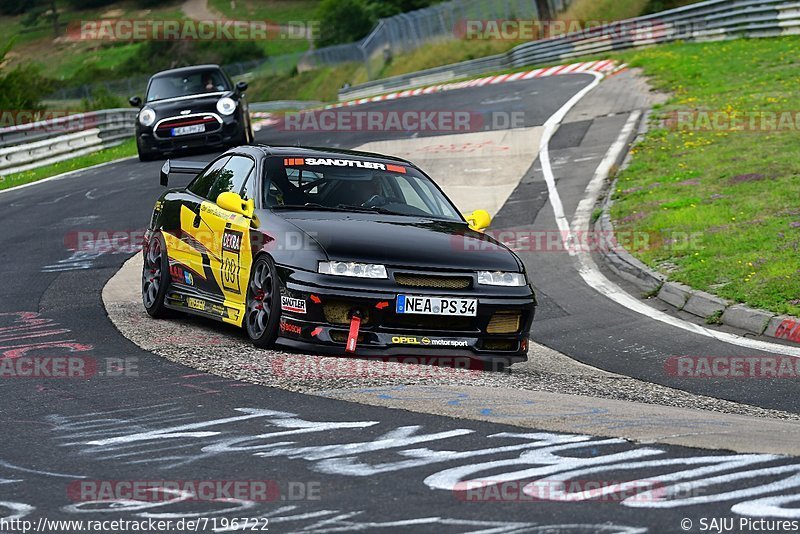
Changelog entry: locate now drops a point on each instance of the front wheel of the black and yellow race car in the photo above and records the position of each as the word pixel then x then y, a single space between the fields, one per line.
pixel 262 307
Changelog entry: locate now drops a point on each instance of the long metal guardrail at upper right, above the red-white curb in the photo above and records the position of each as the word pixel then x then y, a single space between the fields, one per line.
pixel 709 20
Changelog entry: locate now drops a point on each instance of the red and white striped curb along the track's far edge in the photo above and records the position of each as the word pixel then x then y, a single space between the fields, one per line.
pixel 606 66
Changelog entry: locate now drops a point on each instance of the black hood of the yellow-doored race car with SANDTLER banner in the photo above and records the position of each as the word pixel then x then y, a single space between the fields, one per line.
pixel 403 241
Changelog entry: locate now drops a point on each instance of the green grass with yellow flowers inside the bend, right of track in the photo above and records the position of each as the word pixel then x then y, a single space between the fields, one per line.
pixel 736 191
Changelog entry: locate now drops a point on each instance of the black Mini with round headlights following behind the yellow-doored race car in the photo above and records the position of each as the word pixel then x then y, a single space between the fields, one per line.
pixel 191 107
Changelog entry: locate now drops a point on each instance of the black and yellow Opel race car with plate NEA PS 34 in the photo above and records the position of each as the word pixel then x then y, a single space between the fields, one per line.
pixel 335 252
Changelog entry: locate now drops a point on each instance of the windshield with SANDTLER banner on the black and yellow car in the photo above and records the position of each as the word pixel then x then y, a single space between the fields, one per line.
pixel 354 185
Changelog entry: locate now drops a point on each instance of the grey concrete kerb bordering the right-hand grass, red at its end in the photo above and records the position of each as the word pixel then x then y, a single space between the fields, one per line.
pixel 681 297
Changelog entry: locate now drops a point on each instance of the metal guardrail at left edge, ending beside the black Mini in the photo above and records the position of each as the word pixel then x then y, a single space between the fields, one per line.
pixel 36 144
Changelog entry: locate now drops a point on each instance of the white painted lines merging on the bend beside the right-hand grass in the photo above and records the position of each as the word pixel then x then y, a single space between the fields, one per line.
pixel 586 266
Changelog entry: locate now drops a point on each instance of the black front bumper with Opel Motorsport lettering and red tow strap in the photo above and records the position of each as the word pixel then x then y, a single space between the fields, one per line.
pixel 317 318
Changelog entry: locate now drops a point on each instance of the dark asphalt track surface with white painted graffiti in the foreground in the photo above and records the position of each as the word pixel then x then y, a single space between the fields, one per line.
pixel 373 467
